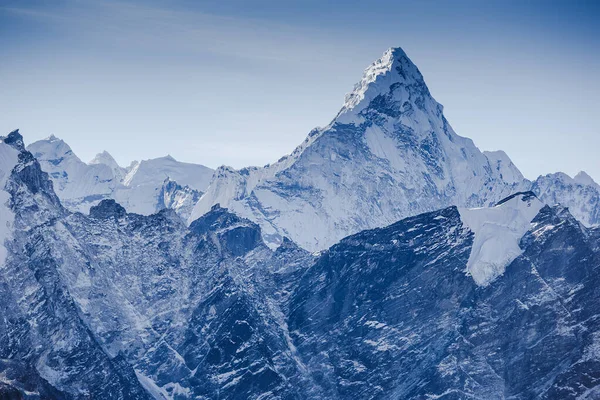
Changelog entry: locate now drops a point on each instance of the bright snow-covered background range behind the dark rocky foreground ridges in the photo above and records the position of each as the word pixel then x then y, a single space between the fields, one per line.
pixel 388 154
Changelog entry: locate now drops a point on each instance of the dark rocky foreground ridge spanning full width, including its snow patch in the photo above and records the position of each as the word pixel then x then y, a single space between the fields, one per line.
pixel 494 303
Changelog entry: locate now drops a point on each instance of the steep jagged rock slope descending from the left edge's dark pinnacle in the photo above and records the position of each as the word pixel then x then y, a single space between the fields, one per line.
pixel 46 349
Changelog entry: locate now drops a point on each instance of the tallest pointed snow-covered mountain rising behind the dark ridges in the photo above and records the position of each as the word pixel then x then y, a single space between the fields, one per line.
pixel 389 153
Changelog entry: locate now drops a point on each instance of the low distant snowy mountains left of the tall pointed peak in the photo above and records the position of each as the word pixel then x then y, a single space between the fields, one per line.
pixel 137 187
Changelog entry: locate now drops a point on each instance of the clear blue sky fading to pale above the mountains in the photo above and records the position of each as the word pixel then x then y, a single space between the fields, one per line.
pixel 243 82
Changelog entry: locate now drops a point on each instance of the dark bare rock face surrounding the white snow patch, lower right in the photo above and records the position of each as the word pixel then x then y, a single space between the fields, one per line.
pixel 393 313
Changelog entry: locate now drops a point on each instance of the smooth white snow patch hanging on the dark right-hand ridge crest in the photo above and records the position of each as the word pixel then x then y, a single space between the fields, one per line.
pixel 498 231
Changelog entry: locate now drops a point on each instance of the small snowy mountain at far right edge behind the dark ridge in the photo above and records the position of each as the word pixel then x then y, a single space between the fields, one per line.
pixel 580 194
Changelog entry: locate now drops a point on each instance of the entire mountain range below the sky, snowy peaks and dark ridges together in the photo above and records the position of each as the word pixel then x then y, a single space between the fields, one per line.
pixel 385 257
